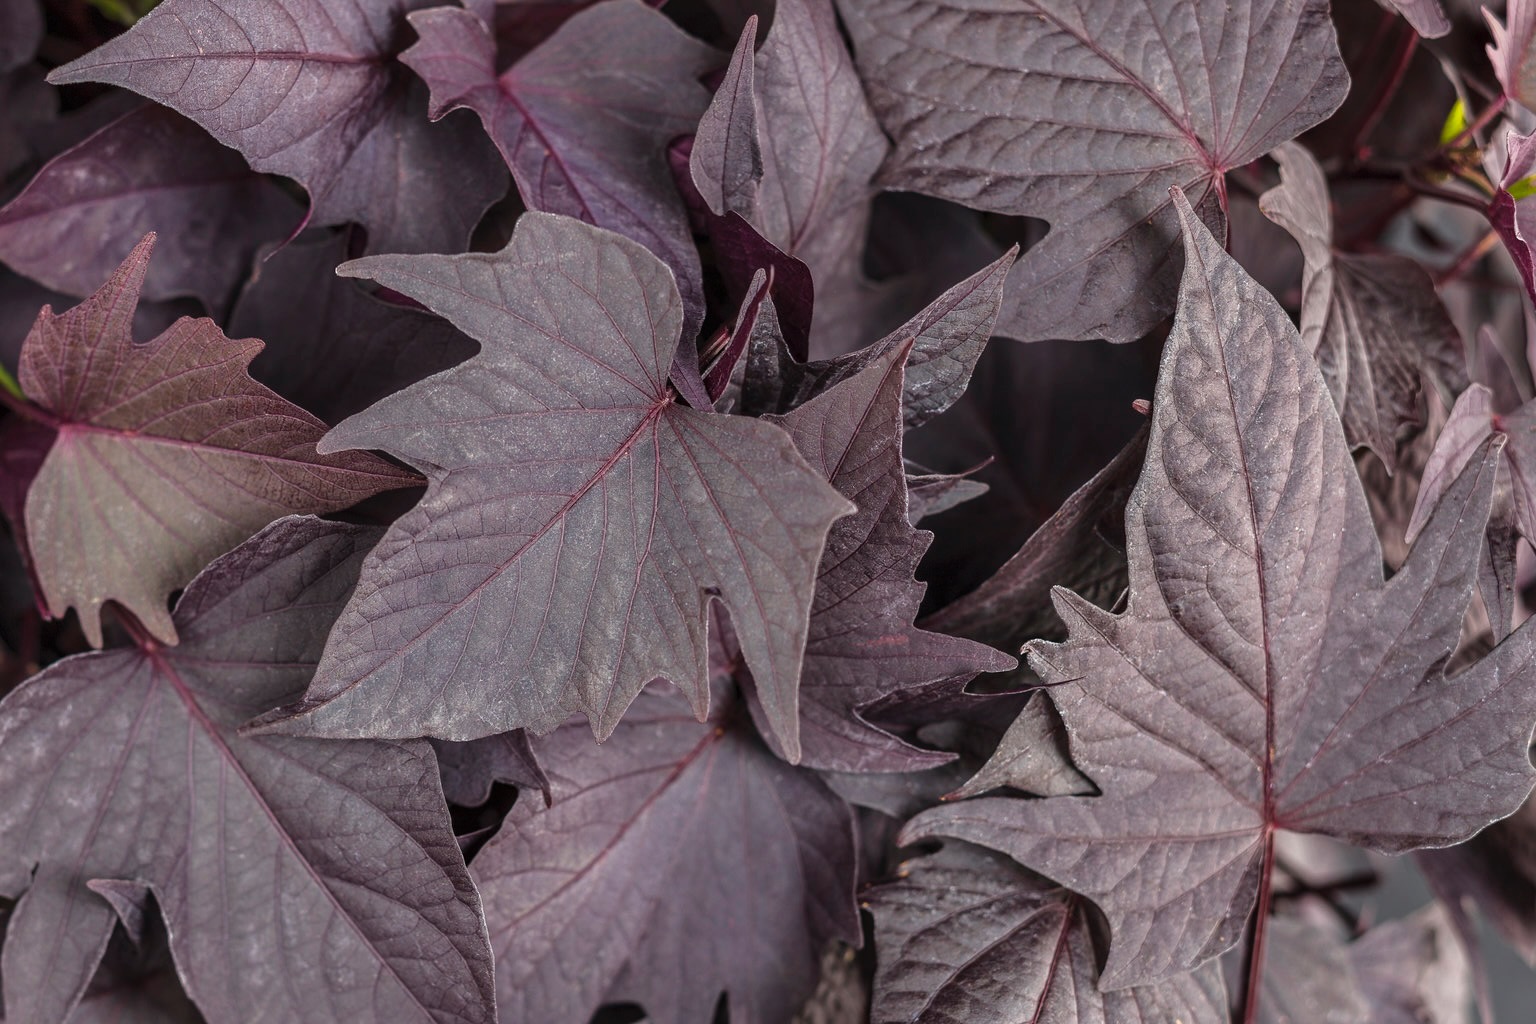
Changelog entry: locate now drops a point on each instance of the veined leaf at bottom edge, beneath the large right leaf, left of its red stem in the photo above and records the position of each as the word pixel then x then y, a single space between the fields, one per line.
pixel 968 936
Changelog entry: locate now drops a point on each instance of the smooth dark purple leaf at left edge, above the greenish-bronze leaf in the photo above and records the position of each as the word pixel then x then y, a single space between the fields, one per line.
pixel 147 171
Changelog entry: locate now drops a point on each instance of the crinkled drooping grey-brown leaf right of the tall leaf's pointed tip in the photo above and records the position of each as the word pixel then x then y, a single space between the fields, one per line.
pixel 1372 320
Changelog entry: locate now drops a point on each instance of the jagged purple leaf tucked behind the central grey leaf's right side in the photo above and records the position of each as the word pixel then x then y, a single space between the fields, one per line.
pixel 862 646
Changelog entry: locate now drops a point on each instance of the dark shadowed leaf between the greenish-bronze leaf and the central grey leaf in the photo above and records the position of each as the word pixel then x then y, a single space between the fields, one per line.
pixel 331 348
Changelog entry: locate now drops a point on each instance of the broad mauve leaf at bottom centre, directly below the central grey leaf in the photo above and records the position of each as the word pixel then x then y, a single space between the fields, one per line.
pixel 677 860
